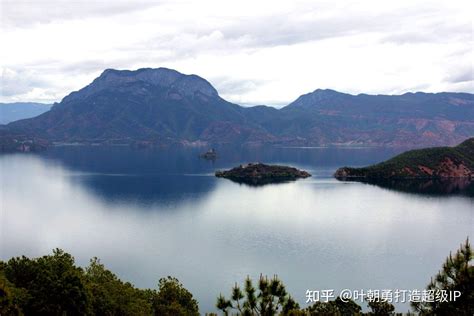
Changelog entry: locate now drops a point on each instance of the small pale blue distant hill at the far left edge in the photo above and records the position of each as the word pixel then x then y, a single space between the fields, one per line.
pixel 10 112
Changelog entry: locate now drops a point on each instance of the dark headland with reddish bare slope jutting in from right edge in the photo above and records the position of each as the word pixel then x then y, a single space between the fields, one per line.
pixel 429 163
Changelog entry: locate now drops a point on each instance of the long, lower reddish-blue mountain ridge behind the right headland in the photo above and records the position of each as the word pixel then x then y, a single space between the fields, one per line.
pixel 411 119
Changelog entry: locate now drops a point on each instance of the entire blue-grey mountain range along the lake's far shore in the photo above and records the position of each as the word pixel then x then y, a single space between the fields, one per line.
pixel 163 106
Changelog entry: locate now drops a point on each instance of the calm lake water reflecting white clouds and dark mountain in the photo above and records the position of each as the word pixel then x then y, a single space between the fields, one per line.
pixel 152 213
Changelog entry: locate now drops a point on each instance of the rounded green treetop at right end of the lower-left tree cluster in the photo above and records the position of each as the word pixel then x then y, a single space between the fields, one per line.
pixel 172 299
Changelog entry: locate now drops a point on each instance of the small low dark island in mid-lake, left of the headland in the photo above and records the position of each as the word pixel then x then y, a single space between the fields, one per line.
pixel 259 174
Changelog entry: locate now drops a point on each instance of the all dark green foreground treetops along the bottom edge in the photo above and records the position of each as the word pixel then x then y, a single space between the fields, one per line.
pixel 53 285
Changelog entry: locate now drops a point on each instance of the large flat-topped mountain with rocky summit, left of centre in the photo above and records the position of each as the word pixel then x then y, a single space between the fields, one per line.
pixel 159 105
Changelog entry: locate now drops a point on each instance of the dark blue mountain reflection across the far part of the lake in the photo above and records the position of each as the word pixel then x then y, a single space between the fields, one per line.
pixel 175 175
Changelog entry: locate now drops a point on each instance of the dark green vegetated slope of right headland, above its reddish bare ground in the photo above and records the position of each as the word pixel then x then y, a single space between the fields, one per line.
pixel 429 157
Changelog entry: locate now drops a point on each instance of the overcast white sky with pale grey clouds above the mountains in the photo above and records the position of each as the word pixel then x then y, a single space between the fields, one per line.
pixel 252 52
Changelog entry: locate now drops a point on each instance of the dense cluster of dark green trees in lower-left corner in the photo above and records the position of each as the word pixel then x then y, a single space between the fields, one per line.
pixel 53 285
